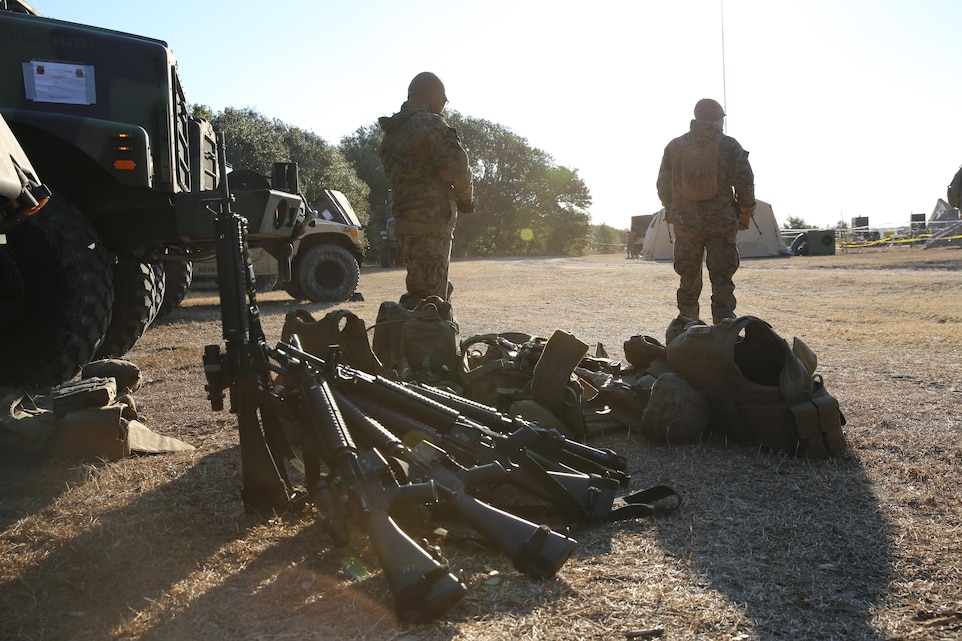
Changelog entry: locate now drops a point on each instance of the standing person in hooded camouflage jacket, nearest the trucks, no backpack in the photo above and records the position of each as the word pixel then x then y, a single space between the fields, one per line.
pixel 430 184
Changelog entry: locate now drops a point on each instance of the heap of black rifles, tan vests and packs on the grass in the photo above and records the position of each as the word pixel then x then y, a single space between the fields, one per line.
pixel 493 427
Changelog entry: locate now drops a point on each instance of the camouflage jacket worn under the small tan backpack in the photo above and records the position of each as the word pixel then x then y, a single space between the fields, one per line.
pixel 735 178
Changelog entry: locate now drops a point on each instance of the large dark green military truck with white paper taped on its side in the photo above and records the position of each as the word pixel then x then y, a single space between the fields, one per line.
pixel 103 118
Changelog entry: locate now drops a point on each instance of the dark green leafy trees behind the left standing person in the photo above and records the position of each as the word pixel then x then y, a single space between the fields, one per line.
pixel 525 203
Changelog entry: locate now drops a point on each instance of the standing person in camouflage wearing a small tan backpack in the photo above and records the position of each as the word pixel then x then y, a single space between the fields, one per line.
pixel 708 227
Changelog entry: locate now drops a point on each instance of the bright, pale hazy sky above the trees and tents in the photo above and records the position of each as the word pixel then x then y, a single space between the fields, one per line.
pixel 847 107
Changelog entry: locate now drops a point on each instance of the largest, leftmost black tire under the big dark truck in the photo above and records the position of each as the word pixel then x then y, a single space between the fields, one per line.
pixel 55 297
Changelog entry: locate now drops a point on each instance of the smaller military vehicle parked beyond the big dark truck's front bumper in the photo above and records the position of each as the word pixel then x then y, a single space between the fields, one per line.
pixel 326 265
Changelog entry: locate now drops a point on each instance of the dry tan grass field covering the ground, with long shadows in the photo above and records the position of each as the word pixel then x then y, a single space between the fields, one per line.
pixel 764 547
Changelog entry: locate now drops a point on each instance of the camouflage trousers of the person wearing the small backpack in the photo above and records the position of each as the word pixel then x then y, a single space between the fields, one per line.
pixel 711 237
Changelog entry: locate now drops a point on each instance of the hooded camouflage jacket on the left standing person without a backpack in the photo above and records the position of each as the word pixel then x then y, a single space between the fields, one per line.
pixel 428 171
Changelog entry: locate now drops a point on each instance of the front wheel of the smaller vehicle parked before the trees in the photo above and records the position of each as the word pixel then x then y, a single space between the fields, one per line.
pixel 326 273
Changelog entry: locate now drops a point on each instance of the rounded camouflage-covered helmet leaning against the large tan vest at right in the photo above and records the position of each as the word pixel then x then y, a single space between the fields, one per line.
pixel 676 412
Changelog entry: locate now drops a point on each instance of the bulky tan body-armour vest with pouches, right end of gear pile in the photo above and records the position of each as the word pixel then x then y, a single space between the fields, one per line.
pixel 760 391
